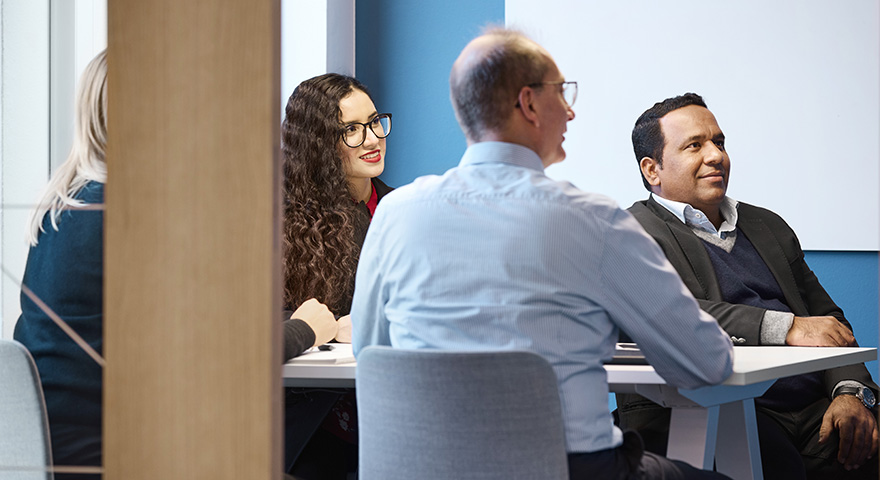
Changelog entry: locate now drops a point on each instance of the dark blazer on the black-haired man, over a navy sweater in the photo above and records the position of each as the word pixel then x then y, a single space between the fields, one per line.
pixel 780 249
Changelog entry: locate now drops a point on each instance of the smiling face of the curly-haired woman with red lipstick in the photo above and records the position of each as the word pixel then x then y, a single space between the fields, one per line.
pixel 368 160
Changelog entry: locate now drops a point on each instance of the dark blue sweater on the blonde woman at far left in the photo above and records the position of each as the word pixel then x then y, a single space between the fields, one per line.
pixel 65 270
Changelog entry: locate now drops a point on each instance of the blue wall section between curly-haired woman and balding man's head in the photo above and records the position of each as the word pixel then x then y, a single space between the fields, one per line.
pixel 405 50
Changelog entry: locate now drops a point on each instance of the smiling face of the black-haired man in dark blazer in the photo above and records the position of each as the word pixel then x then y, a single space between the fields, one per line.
pixel 695 166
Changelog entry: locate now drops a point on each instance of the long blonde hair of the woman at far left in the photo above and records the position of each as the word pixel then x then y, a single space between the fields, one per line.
pixel 85 162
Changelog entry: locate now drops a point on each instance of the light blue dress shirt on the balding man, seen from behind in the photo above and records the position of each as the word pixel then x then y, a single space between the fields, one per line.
pixel 494 255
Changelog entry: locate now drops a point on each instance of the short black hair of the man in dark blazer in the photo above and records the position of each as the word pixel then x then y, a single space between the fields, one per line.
pixel 647 135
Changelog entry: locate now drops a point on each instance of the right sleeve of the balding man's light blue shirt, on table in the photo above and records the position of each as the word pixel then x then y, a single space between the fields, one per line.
pixel 645 297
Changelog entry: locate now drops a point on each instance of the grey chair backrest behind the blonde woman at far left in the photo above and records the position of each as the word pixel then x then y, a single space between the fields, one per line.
pixel 24 427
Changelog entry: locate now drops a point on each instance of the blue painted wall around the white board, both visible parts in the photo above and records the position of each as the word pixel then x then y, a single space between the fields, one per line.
pixel 405 49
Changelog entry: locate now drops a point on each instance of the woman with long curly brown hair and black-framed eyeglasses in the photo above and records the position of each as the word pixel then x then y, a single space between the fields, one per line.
pixel 333 147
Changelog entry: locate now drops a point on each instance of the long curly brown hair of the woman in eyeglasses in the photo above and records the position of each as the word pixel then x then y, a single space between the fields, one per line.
pixel 320 217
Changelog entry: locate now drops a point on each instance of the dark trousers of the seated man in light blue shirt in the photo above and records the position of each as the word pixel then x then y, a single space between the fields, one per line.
pixel 631 462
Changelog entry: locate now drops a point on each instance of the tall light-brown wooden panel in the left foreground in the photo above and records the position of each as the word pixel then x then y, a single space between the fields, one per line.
pixel 192 291
